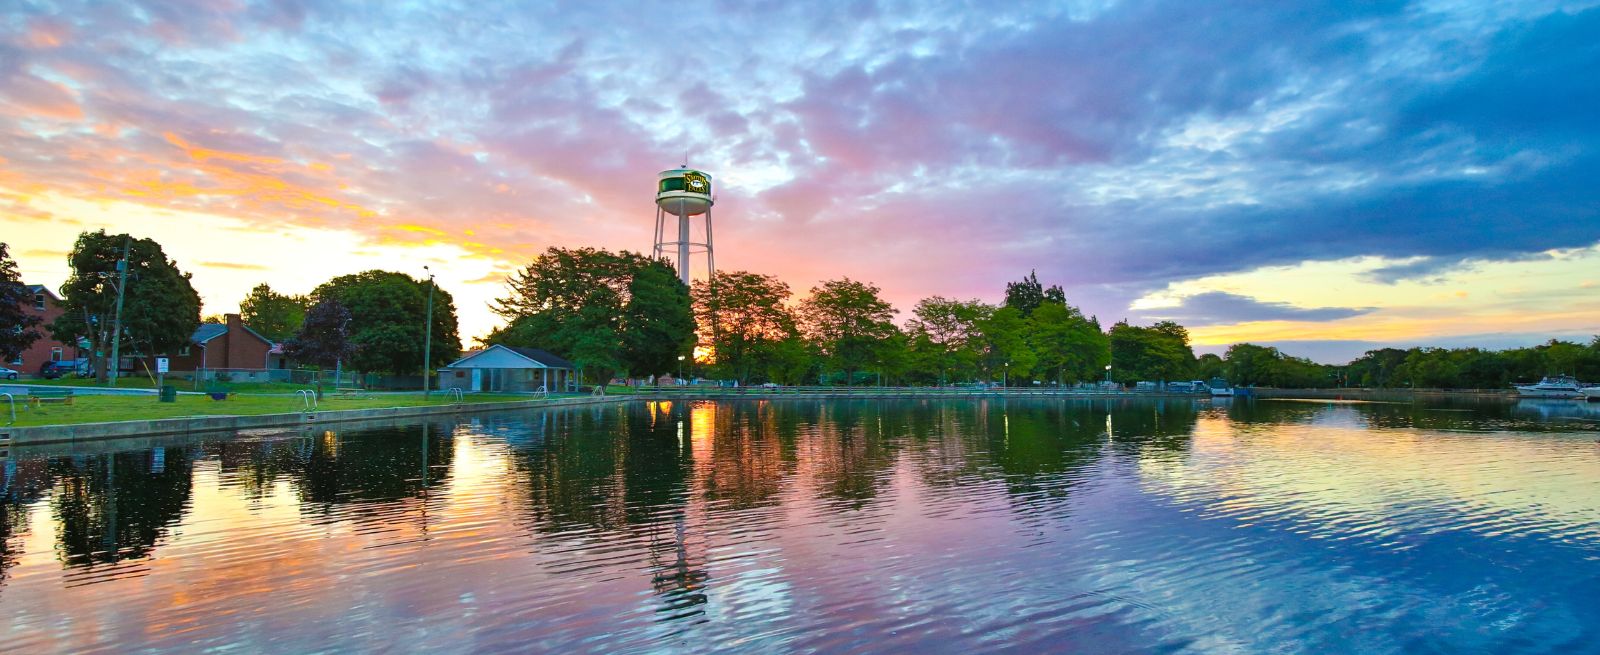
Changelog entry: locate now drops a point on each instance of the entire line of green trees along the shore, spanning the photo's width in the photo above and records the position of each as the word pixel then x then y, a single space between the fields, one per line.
pixel 625 315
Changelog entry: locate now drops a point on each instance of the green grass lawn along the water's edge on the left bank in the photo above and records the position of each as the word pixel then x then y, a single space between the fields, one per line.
pixel 100 409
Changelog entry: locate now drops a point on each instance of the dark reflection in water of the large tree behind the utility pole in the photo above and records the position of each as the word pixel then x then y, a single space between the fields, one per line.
pixel 111 508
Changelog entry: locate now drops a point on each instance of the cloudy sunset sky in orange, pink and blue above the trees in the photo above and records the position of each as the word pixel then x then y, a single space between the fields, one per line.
pixel 1324 177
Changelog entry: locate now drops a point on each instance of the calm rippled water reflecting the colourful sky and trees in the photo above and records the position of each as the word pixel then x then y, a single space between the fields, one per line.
pixel 828 528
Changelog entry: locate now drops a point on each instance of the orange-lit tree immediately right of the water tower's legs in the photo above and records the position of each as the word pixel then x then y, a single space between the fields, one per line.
pixel 753 323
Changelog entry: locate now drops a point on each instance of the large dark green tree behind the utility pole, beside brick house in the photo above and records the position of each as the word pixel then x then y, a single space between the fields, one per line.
pixel 161 308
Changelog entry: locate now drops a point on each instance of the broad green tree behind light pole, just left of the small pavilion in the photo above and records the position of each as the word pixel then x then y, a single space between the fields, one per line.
pixel 388 315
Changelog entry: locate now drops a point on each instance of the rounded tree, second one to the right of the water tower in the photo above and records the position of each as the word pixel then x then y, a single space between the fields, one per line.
pixel 849 323
